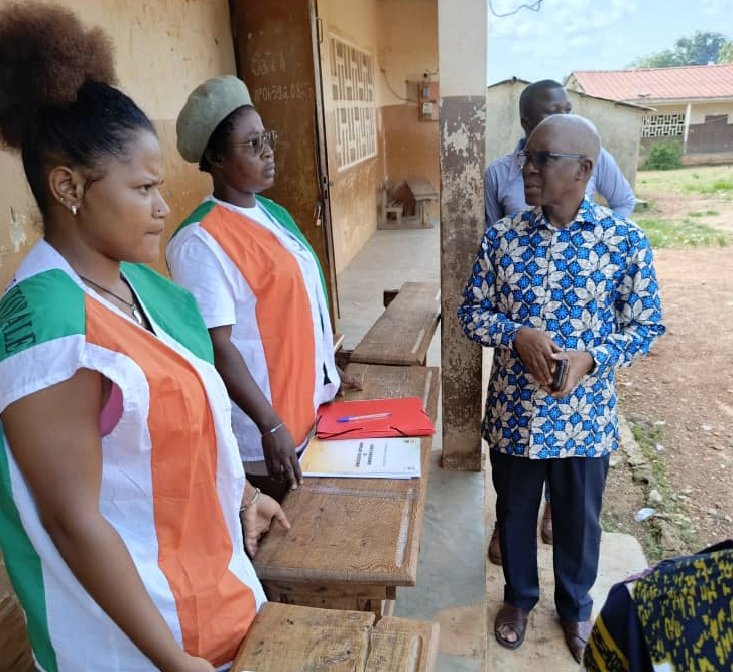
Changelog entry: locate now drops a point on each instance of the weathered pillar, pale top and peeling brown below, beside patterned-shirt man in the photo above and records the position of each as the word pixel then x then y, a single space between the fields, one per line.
pixel 462 44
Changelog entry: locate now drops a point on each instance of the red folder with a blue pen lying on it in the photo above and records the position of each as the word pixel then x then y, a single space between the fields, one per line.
pixel 373 418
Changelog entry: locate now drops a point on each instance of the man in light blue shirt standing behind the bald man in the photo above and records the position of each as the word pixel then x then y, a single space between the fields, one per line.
pixel 503 184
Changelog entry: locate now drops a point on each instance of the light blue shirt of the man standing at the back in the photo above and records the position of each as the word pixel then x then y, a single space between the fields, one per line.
pixel 504 186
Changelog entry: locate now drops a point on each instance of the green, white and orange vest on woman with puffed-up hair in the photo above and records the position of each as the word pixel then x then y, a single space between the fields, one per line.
pixel 172 481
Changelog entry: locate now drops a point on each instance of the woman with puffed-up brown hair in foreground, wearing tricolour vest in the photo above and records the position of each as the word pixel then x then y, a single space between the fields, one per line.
pixel 120 478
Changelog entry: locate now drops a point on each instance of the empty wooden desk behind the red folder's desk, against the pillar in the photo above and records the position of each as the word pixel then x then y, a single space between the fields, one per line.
pixel 402 335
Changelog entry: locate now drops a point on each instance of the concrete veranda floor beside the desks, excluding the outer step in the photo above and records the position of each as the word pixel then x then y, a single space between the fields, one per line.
pixel 451 582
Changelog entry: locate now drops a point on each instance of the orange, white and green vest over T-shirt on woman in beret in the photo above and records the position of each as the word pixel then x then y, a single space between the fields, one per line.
pixel 253 269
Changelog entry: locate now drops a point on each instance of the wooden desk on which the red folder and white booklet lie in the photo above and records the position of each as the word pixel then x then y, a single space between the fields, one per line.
pixel 353 541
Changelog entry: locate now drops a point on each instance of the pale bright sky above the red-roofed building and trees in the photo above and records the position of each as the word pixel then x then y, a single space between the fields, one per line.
pixel 567 35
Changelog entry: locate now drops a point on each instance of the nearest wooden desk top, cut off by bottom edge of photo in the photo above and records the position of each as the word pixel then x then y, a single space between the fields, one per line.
pixel 289 638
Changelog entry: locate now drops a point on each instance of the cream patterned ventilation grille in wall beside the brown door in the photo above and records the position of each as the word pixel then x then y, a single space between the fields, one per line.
pixel 352 86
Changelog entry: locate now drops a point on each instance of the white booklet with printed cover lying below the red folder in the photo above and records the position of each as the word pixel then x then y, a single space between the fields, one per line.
pixel 393 457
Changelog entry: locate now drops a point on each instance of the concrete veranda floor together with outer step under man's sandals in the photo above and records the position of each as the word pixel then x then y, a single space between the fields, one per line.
pixel 456 585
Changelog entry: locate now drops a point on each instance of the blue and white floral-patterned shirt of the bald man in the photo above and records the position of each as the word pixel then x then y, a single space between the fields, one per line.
pixel 591 286
